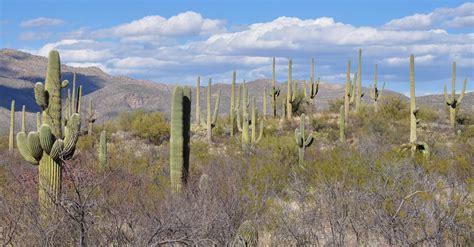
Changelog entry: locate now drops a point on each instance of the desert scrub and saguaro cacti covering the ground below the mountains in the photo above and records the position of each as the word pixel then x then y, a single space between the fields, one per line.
pixel 387 173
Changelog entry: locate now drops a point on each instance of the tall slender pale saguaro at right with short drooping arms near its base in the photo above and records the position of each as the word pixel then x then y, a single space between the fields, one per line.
pixel 414 145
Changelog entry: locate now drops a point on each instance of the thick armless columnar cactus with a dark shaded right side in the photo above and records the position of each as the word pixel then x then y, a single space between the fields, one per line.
pixel 179 138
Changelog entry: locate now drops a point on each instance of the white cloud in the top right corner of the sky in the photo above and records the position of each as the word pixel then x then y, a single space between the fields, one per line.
pixel 461 16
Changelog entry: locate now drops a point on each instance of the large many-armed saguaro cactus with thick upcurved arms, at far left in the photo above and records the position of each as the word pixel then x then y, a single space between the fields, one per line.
pixel 50 145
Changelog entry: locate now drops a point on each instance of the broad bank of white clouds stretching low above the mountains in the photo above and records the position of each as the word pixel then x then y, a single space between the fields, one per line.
pixel 179 48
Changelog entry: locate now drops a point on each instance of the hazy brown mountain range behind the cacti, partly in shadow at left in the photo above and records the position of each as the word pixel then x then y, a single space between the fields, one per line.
pixel 19 71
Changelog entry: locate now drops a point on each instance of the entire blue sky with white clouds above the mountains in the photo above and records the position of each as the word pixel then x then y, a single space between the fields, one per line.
pixel 175 41
